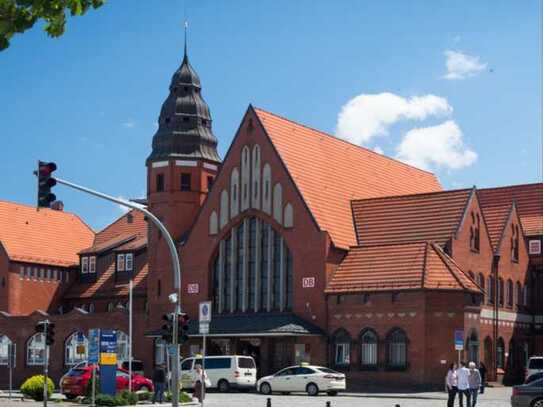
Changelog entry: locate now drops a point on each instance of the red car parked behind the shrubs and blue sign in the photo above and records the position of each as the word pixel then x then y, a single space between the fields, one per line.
pixel 75 382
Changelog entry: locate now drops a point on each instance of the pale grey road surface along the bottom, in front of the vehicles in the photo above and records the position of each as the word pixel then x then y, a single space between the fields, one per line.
pixel 493 397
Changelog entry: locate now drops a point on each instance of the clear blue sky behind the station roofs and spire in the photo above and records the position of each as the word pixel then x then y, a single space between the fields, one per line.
pixel 90 99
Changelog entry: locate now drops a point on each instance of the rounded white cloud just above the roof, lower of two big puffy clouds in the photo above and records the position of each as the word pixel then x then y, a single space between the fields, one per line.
pixel 440 146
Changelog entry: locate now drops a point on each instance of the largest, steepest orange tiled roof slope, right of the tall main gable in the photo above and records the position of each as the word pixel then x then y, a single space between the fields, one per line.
pixel 329 172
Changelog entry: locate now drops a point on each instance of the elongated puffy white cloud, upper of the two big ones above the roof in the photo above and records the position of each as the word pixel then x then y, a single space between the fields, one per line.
pixel 367 116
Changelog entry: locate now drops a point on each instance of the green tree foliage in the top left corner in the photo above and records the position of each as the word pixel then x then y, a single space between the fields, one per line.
pixel 17 16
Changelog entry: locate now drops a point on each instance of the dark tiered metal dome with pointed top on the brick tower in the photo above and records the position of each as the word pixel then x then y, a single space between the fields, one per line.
pixel 184 125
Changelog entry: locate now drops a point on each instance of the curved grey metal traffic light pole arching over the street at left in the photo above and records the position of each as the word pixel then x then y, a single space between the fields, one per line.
pixel 176 268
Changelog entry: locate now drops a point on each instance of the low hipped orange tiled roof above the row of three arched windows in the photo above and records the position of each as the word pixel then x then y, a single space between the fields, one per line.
pixel 410 266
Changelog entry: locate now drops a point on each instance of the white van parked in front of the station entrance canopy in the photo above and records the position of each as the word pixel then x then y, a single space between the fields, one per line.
pixel 224 372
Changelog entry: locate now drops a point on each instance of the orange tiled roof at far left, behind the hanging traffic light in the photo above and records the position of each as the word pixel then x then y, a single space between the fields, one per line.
pixel 45 236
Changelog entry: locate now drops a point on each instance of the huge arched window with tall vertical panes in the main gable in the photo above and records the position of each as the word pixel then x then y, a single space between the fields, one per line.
pixel 253 270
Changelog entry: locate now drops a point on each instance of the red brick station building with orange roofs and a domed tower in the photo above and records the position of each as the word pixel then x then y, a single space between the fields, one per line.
pixel 311 249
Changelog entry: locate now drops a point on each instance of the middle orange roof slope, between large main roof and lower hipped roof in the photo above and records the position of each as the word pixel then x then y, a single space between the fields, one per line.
pixel 410 218
